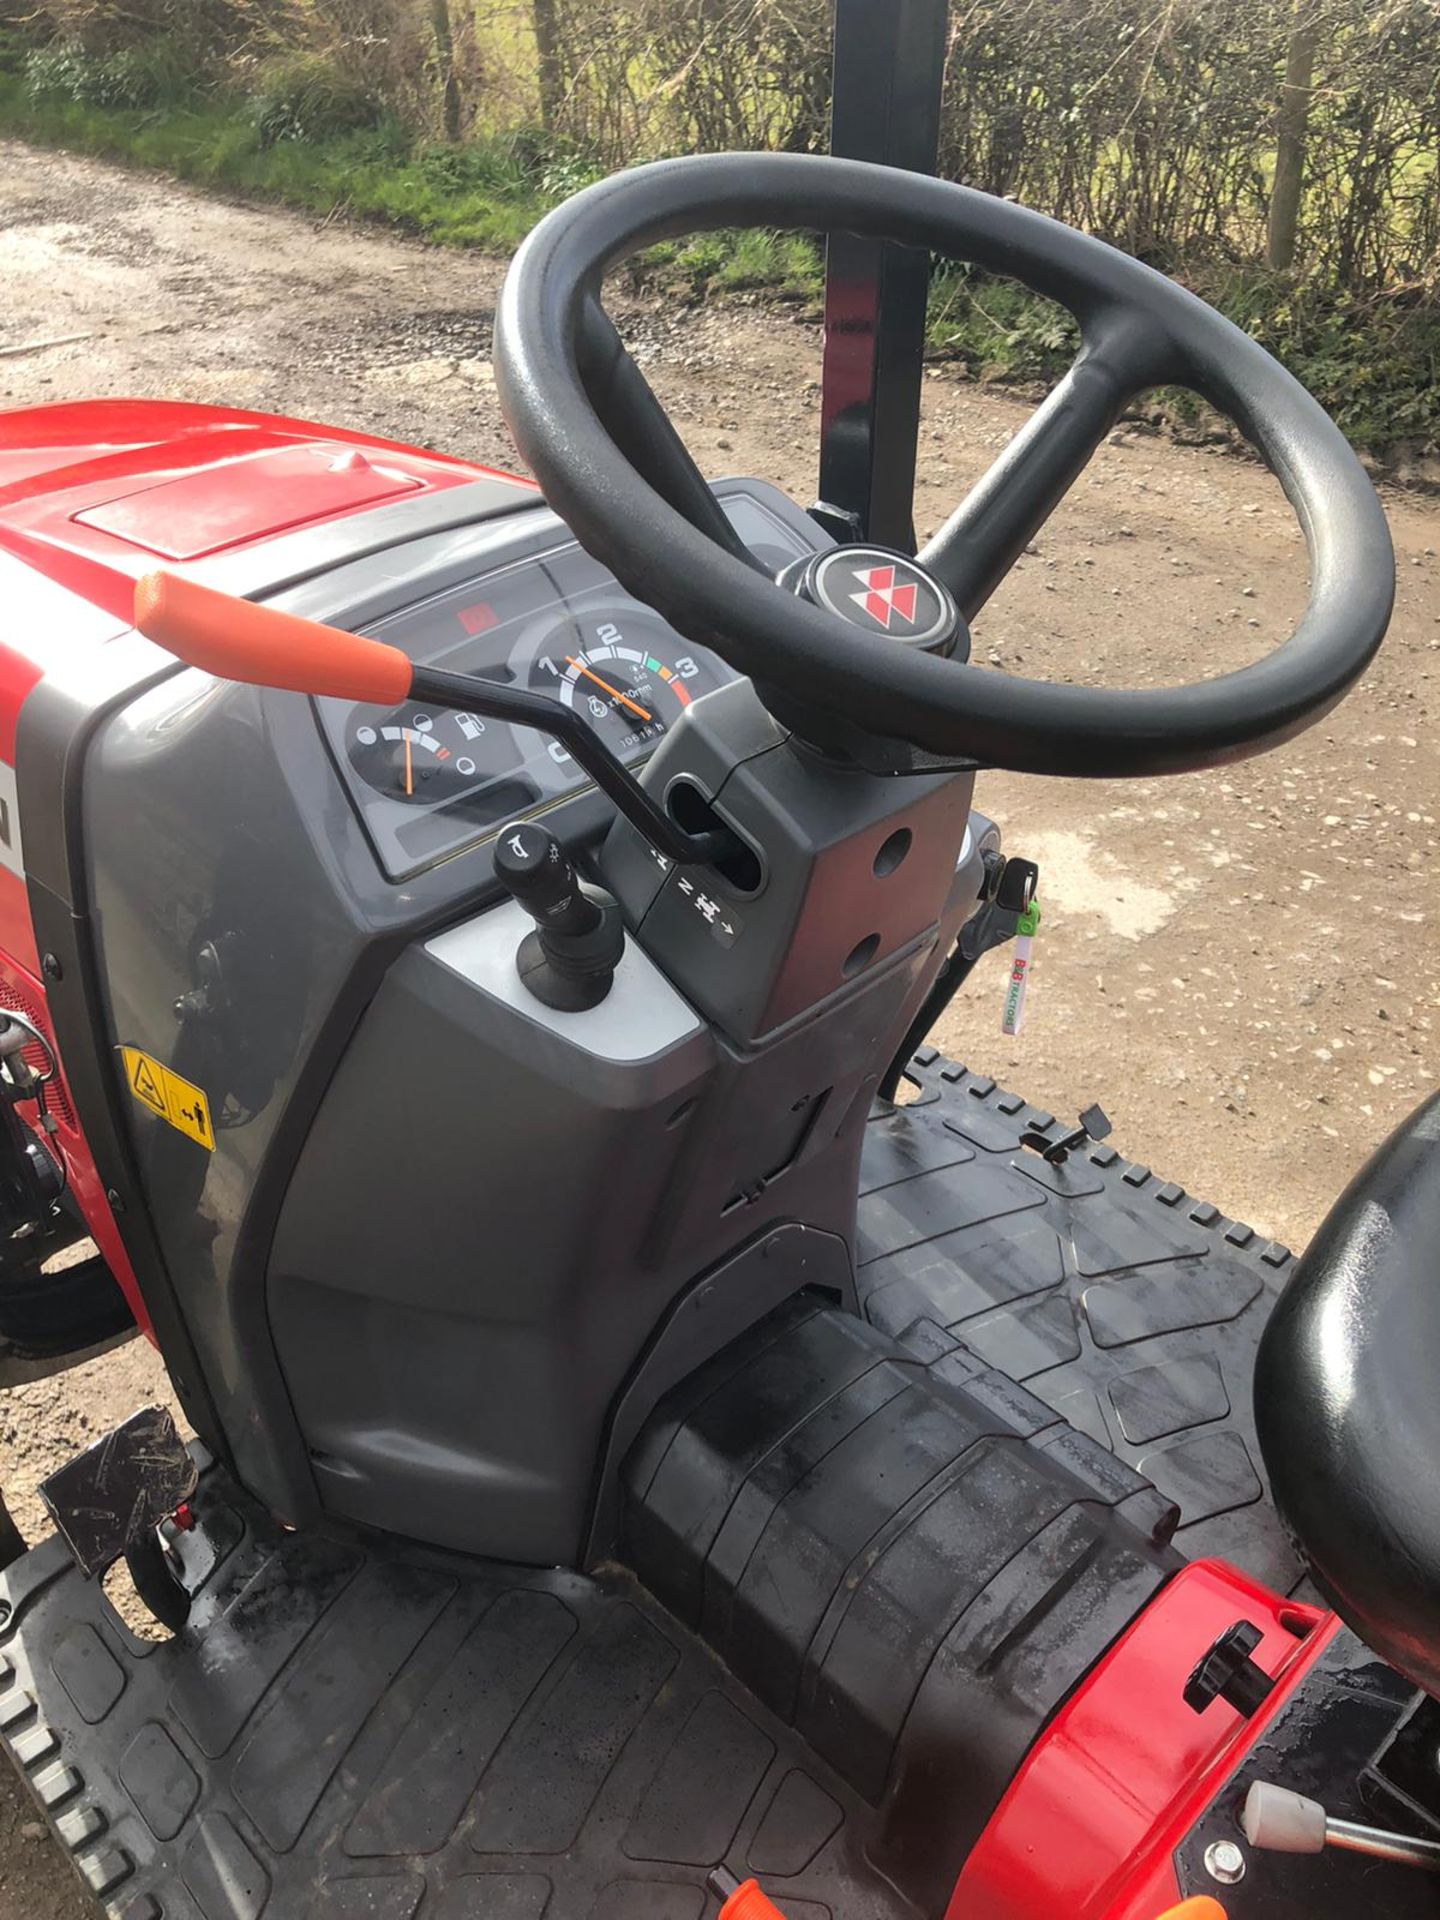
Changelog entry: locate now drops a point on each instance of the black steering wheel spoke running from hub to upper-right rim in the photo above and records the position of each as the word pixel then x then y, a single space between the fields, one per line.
pixel 1017 496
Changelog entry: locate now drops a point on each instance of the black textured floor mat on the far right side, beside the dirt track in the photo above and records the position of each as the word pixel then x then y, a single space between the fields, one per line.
pixel 1113 1295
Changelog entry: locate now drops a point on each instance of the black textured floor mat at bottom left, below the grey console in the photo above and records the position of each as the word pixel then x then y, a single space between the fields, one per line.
pixel 356 1733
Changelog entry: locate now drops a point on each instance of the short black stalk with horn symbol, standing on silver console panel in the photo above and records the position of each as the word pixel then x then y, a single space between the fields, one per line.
pixel 569 961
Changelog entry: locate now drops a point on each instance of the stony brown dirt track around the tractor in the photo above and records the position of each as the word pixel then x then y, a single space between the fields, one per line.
pixel 1241 967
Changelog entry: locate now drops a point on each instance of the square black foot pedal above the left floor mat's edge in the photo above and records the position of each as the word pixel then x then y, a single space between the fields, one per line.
pixel 110 1500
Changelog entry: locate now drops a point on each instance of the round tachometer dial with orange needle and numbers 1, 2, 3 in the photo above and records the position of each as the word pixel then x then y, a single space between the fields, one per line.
pixel 625 671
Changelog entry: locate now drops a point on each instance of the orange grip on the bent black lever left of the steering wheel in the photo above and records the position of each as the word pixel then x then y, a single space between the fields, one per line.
pixel 239 640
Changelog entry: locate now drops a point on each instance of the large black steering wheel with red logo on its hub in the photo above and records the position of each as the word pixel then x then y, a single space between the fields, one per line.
pixel 615 469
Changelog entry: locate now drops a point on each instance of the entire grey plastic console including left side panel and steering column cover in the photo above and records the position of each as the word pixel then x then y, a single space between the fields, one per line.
pixel 446 1257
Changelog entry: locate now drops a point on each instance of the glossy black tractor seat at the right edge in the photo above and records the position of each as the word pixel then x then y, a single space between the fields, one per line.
pixel 1349 1401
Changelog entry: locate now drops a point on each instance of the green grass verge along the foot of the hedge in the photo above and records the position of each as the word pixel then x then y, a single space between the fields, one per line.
pixel 1374 366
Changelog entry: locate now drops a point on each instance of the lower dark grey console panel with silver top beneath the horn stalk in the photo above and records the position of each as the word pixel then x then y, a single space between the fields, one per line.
pixel 508 1222
